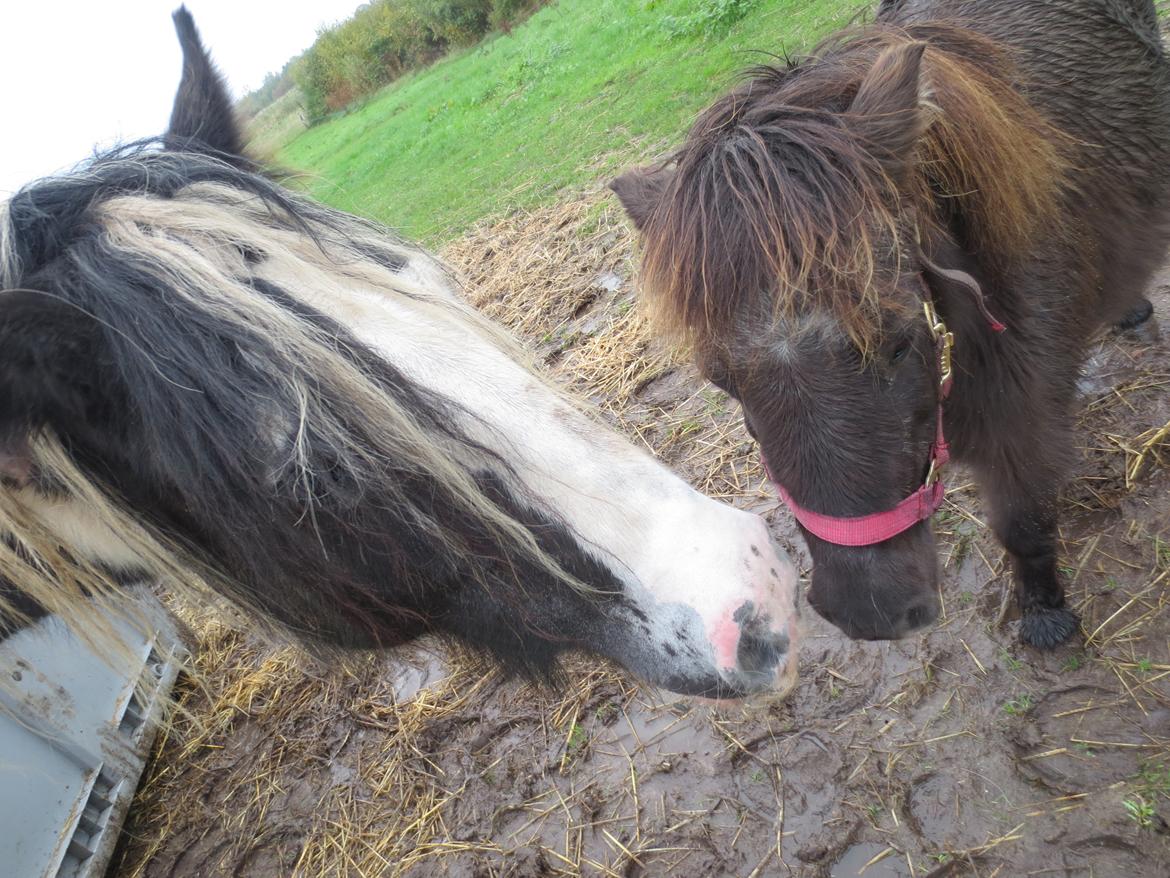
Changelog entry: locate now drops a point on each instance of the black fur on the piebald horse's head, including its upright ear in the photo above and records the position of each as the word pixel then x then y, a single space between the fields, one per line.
pixel 161 402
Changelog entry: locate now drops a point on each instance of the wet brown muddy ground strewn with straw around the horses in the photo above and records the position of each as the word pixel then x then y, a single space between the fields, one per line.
pixel 953 753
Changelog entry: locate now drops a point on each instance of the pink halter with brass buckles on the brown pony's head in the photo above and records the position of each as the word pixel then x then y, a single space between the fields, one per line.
pixel 923 504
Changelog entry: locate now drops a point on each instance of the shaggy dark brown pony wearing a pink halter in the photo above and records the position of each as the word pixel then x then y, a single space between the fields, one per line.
pixel 1007 157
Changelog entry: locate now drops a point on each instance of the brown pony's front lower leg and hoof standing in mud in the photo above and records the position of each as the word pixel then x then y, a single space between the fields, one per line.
pixel 1023 506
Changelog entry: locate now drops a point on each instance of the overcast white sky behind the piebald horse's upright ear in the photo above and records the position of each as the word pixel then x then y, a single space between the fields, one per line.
pixel 79 73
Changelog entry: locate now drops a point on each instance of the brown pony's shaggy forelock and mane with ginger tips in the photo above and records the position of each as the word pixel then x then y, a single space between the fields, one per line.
pixel 775 195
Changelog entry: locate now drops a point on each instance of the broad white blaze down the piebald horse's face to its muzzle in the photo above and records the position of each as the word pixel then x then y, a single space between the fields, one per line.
pixel 666 543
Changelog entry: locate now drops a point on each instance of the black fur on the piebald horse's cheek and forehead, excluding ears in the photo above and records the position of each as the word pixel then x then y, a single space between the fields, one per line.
pixel 159 401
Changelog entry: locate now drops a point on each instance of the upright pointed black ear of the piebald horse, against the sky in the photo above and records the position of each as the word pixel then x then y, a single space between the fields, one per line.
pixel 203 120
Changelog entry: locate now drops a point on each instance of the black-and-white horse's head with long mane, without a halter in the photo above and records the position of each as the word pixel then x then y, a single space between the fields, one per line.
pixel 210 380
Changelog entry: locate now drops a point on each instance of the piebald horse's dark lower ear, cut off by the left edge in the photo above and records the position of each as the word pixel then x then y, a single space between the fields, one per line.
pixel 47 374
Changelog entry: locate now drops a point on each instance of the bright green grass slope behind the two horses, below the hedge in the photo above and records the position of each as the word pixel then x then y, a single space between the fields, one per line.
pixel 580 91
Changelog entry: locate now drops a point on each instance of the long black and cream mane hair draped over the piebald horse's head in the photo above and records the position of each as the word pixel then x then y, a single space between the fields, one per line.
pixel 160 312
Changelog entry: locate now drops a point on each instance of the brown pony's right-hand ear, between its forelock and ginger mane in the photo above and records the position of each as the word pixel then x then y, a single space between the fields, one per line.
pixel 890 112
